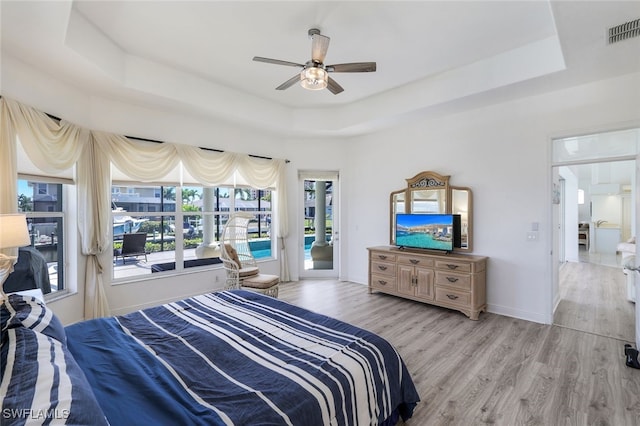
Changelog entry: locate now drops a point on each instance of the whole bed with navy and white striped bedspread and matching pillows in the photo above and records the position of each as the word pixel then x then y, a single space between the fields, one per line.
pixel 231 357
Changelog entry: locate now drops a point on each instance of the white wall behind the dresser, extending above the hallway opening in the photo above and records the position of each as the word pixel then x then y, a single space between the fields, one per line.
pixel 502 153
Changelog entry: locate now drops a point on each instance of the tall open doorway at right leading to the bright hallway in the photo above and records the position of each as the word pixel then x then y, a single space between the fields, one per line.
pixel 597 213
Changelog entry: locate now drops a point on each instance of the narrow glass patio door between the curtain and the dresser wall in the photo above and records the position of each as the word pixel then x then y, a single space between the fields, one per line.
pixel 319 242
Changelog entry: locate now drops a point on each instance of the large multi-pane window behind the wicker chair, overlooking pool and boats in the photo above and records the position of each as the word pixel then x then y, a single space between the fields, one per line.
pixel 186 236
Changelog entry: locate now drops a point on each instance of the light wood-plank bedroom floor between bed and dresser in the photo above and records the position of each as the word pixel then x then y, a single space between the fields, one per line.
pixel 498 370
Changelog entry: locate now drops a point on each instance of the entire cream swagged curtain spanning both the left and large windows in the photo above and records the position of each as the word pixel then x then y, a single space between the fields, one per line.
pixel 54 146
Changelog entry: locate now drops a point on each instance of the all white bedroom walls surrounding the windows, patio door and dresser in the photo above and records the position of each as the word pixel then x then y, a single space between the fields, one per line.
pixel 501 152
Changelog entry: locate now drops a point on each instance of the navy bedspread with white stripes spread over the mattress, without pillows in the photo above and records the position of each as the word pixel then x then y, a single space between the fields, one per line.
pixel 240 358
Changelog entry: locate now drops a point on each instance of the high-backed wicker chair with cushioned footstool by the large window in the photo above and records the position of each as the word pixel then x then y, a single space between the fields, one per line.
pixel 239 264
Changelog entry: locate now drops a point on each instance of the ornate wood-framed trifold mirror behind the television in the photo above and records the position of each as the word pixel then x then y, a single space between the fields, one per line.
pixel 430 192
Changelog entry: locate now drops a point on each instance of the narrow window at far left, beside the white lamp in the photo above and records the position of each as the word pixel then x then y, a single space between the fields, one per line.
pixel 42 202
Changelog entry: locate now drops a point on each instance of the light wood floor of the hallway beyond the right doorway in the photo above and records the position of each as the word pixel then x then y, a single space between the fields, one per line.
pixel 594 300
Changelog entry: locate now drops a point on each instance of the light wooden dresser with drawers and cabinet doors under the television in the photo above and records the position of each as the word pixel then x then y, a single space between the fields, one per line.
pixel 456 281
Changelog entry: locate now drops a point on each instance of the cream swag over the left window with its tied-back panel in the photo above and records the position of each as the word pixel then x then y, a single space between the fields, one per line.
pixel 53 147
